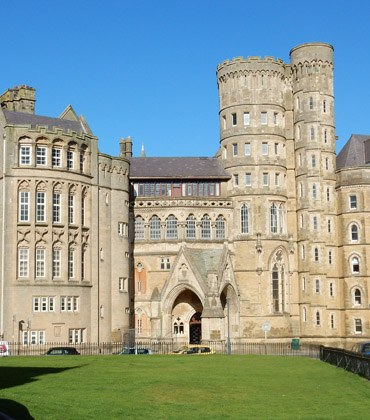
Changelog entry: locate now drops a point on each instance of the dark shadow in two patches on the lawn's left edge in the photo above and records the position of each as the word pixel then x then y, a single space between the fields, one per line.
pixel 16 376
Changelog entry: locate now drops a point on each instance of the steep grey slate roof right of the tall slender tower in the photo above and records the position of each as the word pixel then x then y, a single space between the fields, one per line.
pixel 356 152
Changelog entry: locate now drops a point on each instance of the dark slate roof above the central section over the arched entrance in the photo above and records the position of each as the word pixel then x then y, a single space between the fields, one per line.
pixel 177 167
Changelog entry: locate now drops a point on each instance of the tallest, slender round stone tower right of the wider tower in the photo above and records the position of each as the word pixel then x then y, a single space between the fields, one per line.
pixel 314 132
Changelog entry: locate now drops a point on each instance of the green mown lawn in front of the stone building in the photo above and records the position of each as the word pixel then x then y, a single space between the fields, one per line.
pixel 180 387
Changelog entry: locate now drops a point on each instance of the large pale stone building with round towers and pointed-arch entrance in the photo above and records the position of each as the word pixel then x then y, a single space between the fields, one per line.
pixel 275 224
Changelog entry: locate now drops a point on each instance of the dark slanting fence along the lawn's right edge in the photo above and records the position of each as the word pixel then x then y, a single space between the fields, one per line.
pixel 353 362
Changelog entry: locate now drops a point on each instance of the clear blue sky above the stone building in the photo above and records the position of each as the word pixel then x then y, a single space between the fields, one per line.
pixel 147 69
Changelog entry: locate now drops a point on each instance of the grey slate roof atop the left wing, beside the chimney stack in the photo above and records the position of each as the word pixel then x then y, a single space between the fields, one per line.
pixel 20 118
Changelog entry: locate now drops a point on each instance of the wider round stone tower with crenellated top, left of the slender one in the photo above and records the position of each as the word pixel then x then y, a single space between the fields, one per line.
pixel 254 96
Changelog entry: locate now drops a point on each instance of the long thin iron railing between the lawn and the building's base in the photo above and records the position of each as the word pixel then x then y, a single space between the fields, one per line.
pixel 167 347
